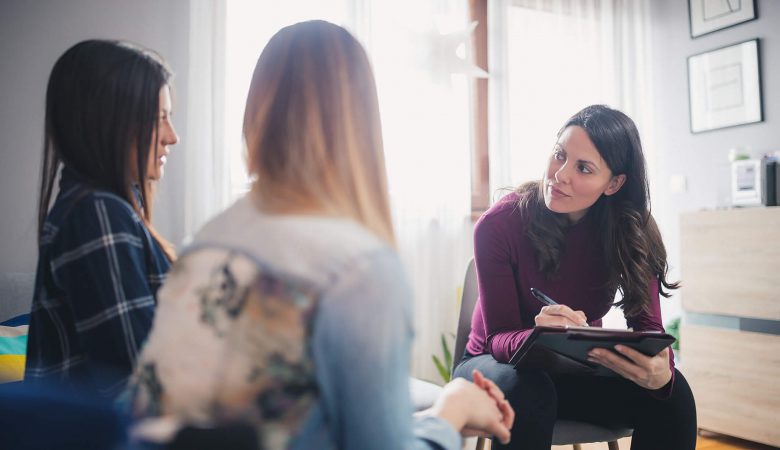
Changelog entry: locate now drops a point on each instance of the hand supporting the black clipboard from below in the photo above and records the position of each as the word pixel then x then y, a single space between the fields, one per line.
pixel 650 372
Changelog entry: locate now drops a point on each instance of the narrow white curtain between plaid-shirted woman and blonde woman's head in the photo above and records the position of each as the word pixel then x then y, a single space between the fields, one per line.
pixel 206 168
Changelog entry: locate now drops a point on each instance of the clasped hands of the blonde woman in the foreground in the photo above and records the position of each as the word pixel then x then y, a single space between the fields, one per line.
pixel 467 406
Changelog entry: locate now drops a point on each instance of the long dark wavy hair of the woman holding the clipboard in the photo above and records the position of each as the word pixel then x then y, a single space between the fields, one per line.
pixel 633 249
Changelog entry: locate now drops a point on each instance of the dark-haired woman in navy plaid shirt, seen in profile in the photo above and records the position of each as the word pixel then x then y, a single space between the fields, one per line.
pixel 100 263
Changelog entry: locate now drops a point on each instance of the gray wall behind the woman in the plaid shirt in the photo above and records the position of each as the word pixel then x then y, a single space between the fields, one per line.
pixel 33 33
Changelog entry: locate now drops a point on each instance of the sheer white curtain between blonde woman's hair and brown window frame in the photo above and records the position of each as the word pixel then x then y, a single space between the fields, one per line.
pixel 424 94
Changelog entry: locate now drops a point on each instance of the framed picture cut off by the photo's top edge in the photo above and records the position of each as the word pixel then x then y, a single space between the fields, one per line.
pixel 707 16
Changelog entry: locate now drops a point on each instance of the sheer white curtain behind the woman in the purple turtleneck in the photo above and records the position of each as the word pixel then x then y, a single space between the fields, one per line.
pixel 549 59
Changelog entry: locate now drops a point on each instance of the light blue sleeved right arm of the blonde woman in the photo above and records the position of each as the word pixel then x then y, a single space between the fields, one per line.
pixel 361 340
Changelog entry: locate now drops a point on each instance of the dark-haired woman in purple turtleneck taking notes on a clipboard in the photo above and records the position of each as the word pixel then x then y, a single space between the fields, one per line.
pixel 580 235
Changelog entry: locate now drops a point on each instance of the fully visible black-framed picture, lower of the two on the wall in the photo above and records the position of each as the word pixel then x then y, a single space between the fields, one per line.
pixel 724 87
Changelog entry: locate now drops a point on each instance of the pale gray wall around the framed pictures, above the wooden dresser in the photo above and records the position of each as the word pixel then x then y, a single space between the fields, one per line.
pixel 702 158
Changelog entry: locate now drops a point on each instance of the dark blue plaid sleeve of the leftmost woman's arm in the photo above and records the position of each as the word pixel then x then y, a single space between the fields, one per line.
pixel 98 260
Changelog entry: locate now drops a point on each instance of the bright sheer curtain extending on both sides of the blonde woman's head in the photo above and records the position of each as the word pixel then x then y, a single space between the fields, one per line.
pixel 419 52
